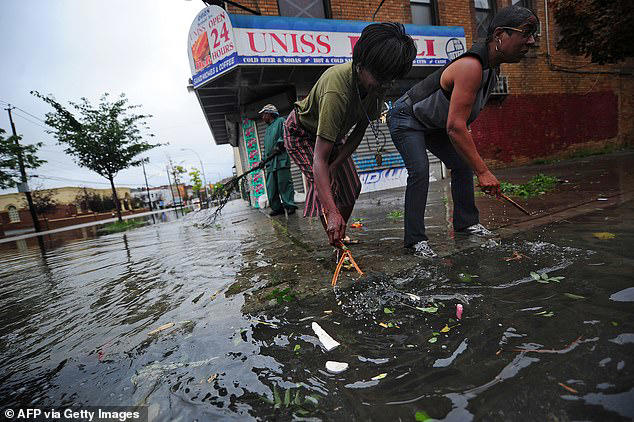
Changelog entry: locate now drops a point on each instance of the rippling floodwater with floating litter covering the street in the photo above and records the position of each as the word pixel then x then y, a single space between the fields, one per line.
pixel 142 318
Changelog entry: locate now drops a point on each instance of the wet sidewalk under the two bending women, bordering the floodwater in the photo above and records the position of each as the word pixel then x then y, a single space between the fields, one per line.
pixel 293 252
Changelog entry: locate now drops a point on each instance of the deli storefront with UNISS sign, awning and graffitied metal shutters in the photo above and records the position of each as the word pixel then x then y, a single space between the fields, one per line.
pixel 239 63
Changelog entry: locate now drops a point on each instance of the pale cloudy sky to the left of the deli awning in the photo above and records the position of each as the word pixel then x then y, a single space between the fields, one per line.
pixel 84 48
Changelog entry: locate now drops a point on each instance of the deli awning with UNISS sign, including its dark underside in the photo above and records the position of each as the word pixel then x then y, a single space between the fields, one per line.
pixel 240 61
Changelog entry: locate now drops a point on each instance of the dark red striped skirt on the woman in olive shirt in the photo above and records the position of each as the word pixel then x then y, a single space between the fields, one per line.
pixel 300 145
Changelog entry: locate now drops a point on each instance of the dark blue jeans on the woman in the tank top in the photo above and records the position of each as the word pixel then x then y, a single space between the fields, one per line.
pixel 412 143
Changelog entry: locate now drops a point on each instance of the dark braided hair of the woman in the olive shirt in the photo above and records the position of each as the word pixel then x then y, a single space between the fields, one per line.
pixel 385 50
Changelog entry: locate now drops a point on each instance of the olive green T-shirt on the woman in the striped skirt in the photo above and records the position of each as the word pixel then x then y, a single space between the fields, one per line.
pixel 333 106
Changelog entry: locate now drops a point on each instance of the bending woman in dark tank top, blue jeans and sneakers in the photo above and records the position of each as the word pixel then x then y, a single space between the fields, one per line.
pixel 434 115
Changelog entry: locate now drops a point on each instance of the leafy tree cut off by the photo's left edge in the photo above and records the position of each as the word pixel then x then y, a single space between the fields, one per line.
pixel 9 159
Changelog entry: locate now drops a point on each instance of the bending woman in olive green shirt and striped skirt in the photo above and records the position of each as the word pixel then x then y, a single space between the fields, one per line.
pixel 346 95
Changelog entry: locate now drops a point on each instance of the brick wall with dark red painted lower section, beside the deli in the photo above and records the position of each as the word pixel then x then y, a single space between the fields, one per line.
pixel 535 112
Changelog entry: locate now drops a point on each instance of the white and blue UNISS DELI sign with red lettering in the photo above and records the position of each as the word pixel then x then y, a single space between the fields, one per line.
pixel 219 42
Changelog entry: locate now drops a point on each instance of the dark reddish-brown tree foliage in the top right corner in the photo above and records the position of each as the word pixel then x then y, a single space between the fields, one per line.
pixel 599 29
